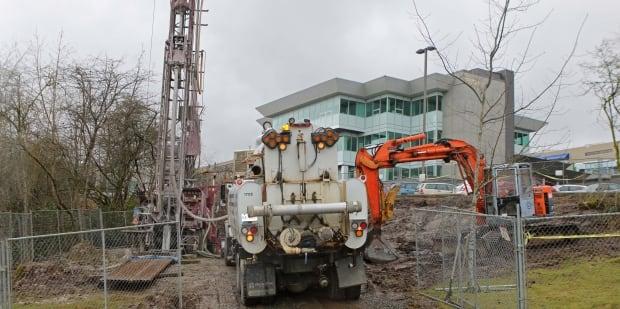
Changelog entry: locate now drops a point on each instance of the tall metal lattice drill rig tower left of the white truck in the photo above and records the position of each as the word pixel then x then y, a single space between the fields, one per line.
pixel 178 143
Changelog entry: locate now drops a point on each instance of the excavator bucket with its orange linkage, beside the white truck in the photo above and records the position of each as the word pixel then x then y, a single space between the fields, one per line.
pixel 378 251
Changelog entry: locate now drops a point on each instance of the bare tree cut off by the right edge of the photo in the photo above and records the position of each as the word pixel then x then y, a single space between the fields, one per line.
pixel 602 78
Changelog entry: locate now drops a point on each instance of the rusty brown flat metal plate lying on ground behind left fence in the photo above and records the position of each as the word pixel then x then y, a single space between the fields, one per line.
pixel 139 270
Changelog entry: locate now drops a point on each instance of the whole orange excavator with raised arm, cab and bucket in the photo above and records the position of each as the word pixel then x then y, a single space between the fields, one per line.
pixel 500 191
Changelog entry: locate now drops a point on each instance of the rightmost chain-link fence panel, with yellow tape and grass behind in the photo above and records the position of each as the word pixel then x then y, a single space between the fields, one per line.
pixel 573 260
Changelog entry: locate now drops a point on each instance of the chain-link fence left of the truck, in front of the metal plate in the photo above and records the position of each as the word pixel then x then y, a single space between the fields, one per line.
pixel 99 268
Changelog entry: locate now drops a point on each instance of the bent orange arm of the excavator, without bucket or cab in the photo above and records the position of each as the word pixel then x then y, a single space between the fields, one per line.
pixel 391 153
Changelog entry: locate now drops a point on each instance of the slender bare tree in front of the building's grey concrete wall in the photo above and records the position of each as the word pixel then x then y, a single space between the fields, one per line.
pixel 492 37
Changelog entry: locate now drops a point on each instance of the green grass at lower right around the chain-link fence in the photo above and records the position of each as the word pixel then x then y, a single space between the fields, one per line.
pixel 581 284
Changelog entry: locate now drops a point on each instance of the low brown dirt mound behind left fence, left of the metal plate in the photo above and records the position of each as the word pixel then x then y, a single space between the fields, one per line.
pixel 40 280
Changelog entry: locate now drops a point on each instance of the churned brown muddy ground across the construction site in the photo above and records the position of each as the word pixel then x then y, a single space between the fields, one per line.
pixel 208 283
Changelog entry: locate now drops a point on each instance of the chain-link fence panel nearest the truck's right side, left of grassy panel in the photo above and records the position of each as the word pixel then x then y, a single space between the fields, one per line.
pixel 465 259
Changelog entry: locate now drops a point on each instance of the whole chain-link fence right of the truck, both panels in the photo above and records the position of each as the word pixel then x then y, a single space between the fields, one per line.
pixel 464 259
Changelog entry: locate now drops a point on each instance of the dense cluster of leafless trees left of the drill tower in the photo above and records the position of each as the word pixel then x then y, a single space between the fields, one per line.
pixel 73 131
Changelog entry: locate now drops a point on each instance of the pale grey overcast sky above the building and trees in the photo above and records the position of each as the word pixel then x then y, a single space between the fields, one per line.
pixel 259 51
